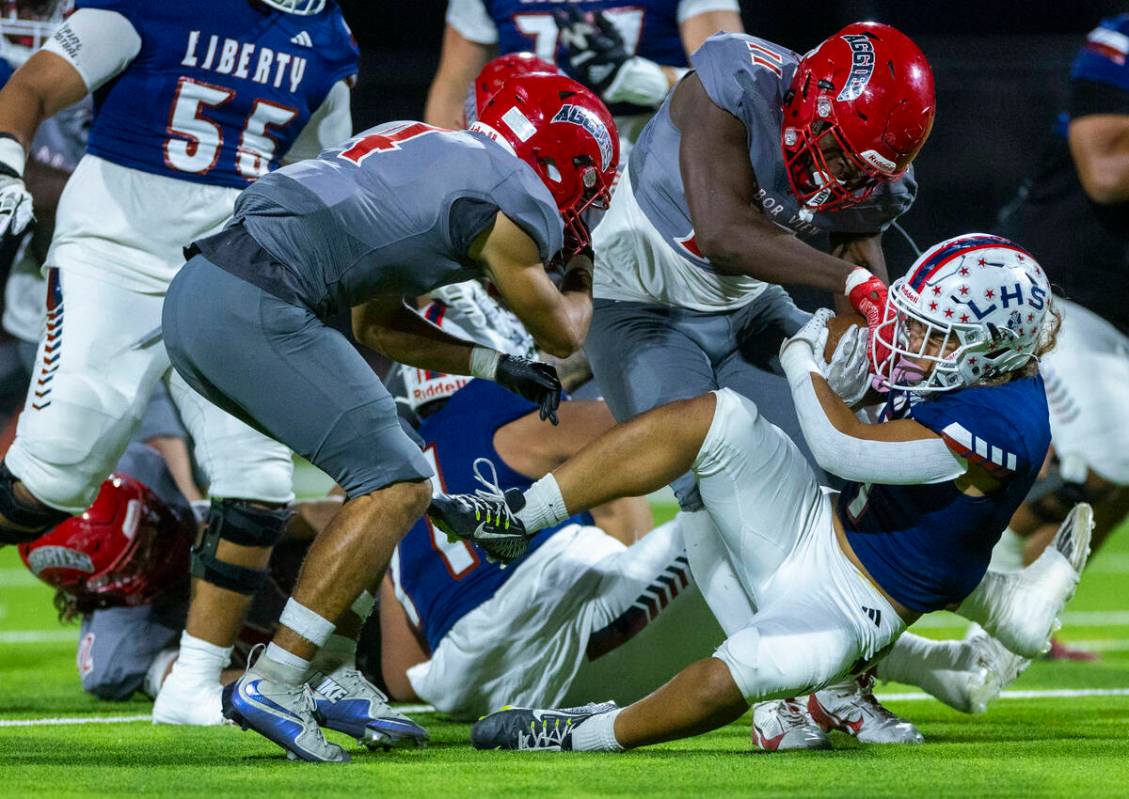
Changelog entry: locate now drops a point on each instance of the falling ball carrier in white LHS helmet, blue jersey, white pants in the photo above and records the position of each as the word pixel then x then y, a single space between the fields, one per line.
pixel 804 591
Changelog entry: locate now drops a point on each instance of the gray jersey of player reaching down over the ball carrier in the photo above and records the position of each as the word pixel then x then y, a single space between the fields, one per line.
pixel 754 93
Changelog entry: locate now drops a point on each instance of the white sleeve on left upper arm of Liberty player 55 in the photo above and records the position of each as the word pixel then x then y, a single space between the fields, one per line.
pixel 98 43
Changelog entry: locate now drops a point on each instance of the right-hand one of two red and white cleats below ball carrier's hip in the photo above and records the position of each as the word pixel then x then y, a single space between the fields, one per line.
pixel 851 707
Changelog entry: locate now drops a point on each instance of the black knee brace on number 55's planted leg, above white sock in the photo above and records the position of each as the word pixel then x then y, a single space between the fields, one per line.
pixel 240 523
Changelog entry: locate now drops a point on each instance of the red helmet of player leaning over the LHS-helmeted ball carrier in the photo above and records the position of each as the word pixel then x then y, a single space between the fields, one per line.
pixel 868 92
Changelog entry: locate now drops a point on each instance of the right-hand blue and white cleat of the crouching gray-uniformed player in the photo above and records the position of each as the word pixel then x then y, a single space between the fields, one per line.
pixel 349 704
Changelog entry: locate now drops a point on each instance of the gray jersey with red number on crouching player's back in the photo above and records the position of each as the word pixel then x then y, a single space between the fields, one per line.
pixel 392 212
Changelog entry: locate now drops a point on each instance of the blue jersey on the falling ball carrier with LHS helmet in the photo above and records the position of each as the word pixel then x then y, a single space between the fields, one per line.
pixel 929 546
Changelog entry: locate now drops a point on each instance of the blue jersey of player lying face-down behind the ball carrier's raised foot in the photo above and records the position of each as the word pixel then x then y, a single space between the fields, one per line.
pixel 445 582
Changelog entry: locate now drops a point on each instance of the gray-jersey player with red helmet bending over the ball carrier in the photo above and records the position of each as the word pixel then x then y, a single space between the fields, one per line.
pixel 758 156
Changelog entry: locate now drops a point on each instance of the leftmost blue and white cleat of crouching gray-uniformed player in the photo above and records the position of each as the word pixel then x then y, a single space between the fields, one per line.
pixel 283 714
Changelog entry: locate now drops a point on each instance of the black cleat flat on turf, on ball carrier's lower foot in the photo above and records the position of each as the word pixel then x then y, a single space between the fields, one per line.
pixel 530 730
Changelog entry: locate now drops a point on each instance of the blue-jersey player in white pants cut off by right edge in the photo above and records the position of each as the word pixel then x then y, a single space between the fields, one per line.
pixel 1082 185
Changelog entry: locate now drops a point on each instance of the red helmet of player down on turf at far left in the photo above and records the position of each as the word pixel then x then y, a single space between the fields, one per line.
pixel 125 550
